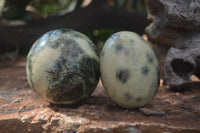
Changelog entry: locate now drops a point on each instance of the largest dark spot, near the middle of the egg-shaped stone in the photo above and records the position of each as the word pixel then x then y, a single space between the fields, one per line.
pixel 123 74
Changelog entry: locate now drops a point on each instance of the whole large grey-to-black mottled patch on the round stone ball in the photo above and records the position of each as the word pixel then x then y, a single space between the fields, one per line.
pixel 71 65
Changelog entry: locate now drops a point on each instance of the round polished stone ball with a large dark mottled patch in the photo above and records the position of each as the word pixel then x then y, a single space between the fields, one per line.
pixel 63 66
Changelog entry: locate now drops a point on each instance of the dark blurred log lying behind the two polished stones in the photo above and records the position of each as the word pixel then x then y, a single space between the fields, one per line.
pixel 97 15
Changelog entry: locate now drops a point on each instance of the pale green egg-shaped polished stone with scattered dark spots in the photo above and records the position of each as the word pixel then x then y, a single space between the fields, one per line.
pixel 129 70
